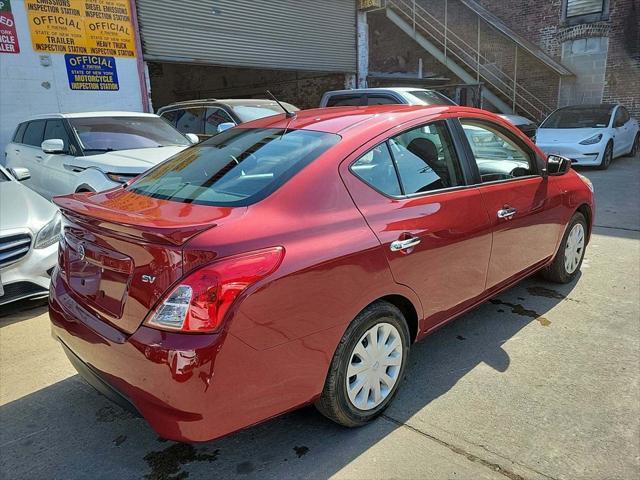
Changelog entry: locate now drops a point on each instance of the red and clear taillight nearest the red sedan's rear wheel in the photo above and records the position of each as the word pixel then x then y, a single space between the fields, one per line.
pixel 201 300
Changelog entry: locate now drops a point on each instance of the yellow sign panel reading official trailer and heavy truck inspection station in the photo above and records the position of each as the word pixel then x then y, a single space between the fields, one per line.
pixel 92 27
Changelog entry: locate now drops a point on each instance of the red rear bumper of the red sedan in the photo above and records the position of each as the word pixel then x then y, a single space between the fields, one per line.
pixel 189 388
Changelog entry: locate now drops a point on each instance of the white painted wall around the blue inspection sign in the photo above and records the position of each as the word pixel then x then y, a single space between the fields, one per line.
pixel 28 87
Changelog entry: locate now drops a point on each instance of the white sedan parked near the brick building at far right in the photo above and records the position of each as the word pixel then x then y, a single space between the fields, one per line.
pixel 591 135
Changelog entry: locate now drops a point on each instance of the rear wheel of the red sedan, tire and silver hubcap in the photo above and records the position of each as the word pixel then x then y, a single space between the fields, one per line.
pixel 338 401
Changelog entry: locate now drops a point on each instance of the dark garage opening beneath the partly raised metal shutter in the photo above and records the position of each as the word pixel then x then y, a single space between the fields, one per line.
pixel 172 82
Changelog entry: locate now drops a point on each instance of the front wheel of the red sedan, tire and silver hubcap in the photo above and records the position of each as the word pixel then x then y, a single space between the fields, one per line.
pixel 570 254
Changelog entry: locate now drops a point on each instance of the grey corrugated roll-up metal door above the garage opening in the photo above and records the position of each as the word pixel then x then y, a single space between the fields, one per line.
pixel 269 34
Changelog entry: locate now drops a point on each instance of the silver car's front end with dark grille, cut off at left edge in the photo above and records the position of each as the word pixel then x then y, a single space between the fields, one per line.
pixel 29 234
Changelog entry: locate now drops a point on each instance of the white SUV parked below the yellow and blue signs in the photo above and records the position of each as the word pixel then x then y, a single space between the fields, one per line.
pixel 93 151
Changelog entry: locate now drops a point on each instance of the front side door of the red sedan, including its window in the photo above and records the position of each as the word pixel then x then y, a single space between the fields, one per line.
pixel 524 209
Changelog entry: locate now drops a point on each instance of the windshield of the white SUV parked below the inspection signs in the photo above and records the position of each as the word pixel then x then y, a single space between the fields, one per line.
pixel 106 134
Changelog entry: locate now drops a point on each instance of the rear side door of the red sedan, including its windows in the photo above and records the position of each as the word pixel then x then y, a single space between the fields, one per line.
pixel 433 227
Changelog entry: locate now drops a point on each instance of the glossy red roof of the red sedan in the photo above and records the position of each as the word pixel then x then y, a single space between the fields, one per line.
pixel 372 117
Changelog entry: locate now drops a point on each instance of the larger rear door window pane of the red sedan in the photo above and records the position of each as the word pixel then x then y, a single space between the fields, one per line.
pixel 426 159
